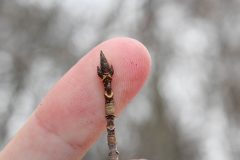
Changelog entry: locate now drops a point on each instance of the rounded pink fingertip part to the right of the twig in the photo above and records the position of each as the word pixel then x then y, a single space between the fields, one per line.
pixel 132 63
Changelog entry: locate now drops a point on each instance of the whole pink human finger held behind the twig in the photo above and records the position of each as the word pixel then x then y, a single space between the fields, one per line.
pixel 71 117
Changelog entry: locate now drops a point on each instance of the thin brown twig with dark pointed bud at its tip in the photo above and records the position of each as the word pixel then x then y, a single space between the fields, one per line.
pixel 105 72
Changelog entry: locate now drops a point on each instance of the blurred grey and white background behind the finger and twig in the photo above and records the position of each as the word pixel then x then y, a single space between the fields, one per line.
pixel 189 108
